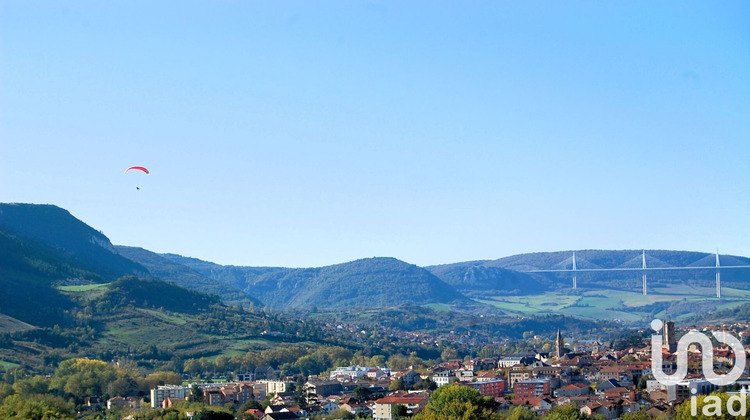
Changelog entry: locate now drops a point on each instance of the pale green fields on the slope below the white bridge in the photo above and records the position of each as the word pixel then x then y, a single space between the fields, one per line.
pixel 619 305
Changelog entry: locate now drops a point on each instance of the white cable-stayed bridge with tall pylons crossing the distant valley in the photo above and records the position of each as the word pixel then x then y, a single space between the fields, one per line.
pixel 643 267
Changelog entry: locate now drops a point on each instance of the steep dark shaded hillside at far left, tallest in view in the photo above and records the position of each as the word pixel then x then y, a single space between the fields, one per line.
pixel 43 245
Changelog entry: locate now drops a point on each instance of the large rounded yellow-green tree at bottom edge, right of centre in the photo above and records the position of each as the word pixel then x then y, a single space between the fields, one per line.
pixel 458 402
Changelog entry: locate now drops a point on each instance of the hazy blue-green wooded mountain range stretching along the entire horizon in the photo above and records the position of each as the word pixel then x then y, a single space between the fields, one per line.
pixel 46 244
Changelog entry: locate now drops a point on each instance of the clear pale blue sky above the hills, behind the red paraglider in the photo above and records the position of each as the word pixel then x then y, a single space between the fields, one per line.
pixel 311 133
